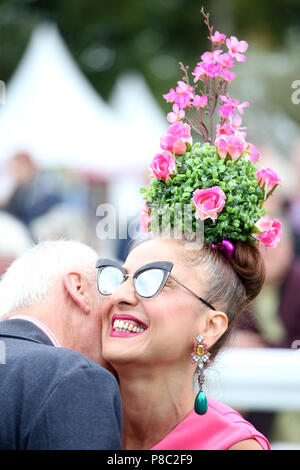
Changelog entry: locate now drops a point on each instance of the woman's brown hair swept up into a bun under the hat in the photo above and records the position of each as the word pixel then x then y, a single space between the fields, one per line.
pixel 232 283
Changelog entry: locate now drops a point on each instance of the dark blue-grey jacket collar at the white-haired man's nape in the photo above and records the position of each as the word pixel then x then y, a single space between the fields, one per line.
pixel 23 329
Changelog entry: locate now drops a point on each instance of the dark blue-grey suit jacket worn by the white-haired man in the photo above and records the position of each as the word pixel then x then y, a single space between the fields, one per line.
pixel 53 398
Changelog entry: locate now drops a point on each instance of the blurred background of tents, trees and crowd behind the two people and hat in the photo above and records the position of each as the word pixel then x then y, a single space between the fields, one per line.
pixel 81 115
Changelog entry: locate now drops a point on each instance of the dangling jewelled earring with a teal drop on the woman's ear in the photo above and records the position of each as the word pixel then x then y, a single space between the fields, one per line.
pixel 200 356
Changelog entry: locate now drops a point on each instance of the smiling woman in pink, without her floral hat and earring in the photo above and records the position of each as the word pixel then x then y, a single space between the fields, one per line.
pixel 149 340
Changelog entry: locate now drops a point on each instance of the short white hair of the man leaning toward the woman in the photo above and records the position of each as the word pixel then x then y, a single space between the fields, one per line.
pixel 29 279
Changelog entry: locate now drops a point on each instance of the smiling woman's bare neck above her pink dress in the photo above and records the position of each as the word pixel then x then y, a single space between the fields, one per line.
pixel 153 404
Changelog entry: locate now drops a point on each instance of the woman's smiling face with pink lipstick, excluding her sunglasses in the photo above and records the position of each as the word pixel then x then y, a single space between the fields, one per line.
pixel 166 324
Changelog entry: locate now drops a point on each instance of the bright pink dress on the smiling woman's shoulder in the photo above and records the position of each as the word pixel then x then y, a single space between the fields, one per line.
pixel 218 429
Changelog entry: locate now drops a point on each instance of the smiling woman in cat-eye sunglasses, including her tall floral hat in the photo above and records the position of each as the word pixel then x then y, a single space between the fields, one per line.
pixel 171 299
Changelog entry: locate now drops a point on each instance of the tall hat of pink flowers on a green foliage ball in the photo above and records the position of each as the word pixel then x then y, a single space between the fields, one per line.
pixel 217 177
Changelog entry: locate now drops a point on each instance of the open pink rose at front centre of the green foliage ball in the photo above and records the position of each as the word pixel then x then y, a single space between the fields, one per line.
pixel 208 202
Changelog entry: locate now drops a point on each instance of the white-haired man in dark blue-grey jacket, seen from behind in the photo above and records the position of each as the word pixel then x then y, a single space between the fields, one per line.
pixel 55 389
